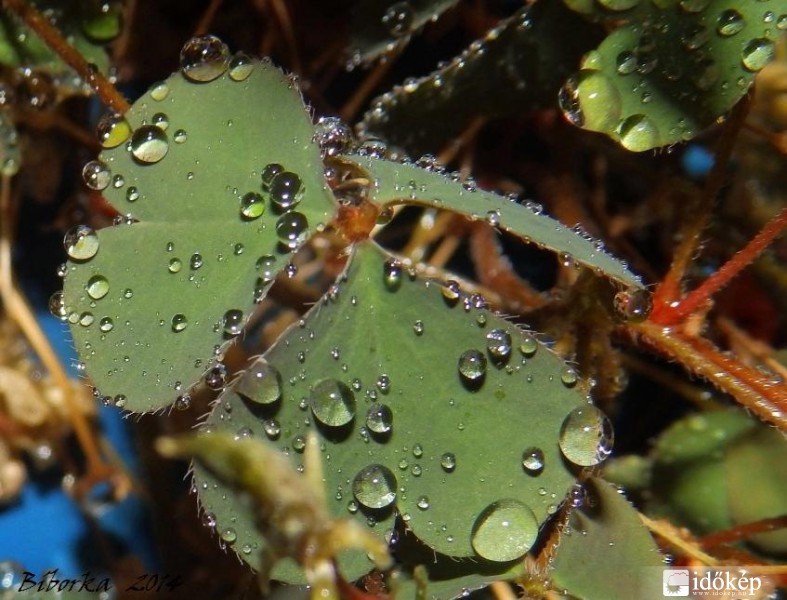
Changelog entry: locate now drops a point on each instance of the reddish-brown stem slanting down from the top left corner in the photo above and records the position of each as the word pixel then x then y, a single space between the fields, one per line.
pixel 52 38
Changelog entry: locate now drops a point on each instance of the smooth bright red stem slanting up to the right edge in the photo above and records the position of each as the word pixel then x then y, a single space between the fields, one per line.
pixel 696 298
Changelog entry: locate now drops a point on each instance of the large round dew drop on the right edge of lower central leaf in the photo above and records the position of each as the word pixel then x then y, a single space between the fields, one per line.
pixel 586 436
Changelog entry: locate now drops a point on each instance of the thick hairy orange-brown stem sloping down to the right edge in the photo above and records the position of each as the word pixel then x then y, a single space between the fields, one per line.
pixel 765 397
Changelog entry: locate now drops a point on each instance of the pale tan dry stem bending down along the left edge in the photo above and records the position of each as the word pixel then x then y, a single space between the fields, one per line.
pixel 18 310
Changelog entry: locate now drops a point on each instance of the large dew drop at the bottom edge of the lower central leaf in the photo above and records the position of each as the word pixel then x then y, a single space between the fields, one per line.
pixel 504 531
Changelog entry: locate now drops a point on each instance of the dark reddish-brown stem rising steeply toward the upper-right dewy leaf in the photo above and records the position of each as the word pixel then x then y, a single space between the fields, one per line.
pixel 669 288
